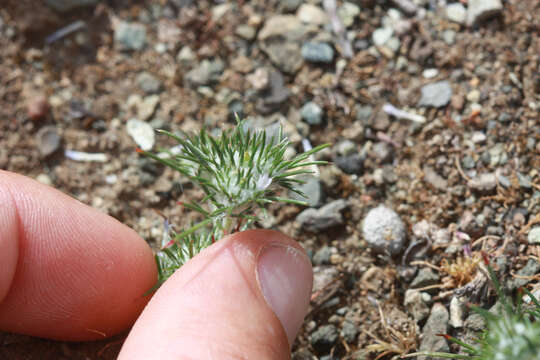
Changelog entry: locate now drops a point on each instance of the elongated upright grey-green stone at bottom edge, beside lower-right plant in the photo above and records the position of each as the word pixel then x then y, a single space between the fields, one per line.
pixel 437 323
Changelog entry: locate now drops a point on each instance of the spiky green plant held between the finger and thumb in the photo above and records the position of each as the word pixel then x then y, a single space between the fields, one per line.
pixel 239 173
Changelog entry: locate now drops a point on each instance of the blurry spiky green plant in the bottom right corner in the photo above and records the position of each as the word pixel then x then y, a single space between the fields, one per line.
pixel 514 334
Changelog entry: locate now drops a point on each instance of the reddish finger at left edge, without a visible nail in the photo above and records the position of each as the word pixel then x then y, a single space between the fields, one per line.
pixel 67 271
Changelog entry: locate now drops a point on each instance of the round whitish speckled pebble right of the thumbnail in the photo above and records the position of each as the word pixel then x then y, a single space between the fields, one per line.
pixel 384 231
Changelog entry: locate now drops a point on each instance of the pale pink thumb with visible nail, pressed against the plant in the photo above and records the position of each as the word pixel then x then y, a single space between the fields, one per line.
pixel 244 297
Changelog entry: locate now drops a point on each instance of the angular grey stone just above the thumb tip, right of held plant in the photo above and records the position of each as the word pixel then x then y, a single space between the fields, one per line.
pixel 326 217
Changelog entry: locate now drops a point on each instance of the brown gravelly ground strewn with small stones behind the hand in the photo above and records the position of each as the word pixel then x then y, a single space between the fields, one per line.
pixel 431 107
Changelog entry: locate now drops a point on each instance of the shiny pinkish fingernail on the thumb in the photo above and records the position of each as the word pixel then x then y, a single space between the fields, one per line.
pixel 285 278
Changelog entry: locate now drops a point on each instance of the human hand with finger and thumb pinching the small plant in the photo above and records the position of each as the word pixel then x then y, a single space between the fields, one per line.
pixel 70 272
